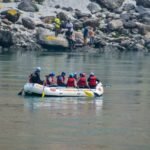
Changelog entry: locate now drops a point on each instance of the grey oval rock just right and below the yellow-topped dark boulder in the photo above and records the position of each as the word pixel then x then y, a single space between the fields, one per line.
pixel 28 23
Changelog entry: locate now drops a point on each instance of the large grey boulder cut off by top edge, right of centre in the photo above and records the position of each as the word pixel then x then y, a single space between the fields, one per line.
pixel 110 4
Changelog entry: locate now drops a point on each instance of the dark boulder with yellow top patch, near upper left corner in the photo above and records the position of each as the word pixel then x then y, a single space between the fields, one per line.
pixel 11 14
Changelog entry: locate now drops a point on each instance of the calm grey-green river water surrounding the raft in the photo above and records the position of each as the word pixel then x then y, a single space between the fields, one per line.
pixel 120 120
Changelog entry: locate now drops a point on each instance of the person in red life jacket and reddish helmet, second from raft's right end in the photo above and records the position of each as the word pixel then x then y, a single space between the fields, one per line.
pixel 82 82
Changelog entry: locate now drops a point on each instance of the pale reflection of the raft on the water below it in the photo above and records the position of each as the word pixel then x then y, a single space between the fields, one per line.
pixel 63 103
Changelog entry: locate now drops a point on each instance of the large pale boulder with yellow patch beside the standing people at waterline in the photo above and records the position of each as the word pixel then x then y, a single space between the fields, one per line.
pixel 48 40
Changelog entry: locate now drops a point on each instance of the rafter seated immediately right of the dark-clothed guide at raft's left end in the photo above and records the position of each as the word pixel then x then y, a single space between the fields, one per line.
pixel 50 79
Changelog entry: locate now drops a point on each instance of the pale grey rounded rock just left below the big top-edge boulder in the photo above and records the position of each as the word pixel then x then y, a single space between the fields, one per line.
pixel 94 7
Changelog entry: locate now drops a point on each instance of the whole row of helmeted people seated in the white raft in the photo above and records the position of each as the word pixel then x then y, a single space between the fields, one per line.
pixel 71 81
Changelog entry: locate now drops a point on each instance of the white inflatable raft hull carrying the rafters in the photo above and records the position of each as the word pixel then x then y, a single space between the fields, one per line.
pixel 37 89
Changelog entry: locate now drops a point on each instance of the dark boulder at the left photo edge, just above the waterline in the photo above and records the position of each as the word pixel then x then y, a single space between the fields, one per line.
pixel 6 39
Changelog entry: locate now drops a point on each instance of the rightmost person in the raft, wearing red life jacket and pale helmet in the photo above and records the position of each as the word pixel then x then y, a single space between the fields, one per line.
pixel 92 80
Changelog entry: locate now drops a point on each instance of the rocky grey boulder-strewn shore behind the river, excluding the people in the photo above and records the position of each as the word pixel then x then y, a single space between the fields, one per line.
pixel 120 25
